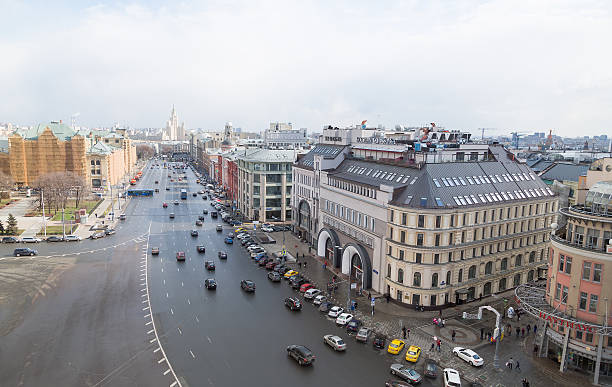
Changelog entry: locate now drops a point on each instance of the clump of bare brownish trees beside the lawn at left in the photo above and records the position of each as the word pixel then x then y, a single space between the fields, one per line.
pixel 57 187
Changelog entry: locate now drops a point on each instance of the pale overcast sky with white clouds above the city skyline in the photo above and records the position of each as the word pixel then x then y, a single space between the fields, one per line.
pixel 510 65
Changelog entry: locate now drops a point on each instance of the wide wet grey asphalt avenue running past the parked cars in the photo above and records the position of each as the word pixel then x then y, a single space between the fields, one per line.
pixel 92 329
